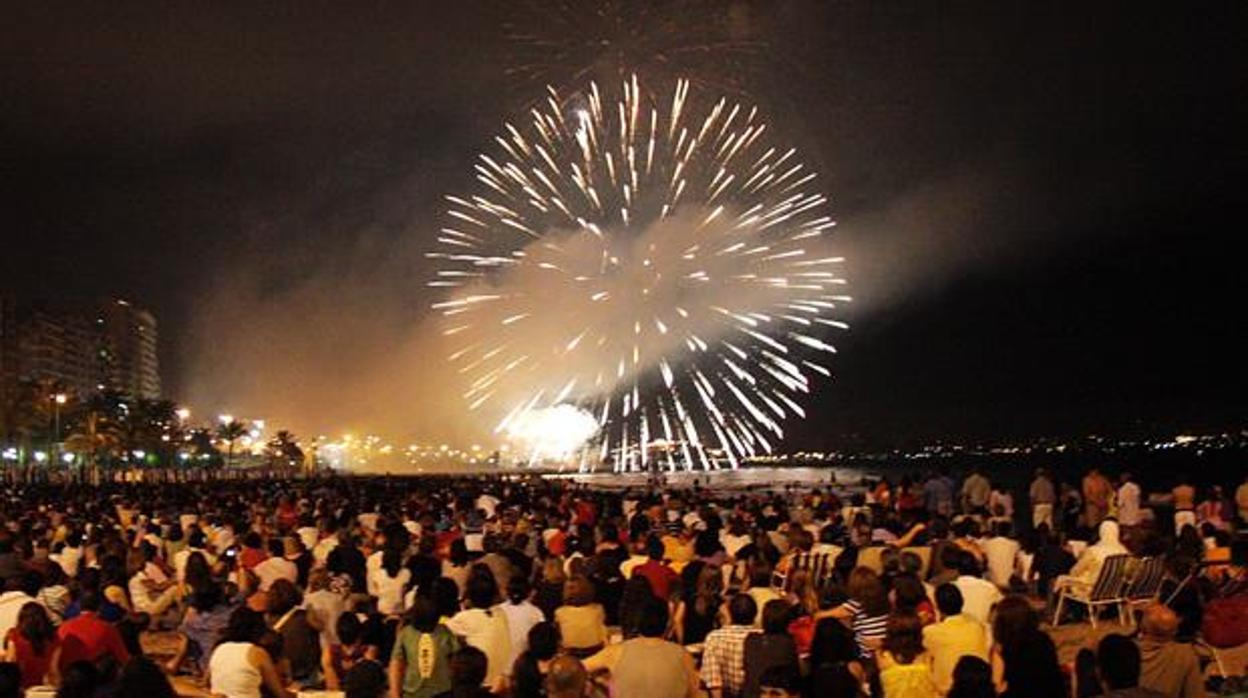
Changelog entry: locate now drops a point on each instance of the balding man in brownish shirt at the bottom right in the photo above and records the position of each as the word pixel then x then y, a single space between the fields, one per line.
pixel 1168 667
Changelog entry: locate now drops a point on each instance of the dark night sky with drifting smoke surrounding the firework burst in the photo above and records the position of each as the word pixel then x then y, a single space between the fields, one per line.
pixel 1039 202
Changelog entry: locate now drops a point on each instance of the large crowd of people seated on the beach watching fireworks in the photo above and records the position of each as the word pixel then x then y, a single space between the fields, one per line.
pixel 532 587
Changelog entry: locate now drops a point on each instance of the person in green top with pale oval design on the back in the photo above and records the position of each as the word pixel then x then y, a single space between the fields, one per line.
pixel 421 664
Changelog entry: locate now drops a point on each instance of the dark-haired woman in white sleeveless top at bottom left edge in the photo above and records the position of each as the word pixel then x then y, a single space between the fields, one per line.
pixel 240 666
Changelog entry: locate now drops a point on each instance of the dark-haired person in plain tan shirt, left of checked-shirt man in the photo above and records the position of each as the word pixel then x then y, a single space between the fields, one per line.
pixel 648 666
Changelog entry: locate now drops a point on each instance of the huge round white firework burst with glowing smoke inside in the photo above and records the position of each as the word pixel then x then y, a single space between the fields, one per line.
pixel 656 264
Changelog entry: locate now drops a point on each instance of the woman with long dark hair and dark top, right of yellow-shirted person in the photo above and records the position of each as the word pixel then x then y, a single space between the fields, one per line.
pixel 1024 657
